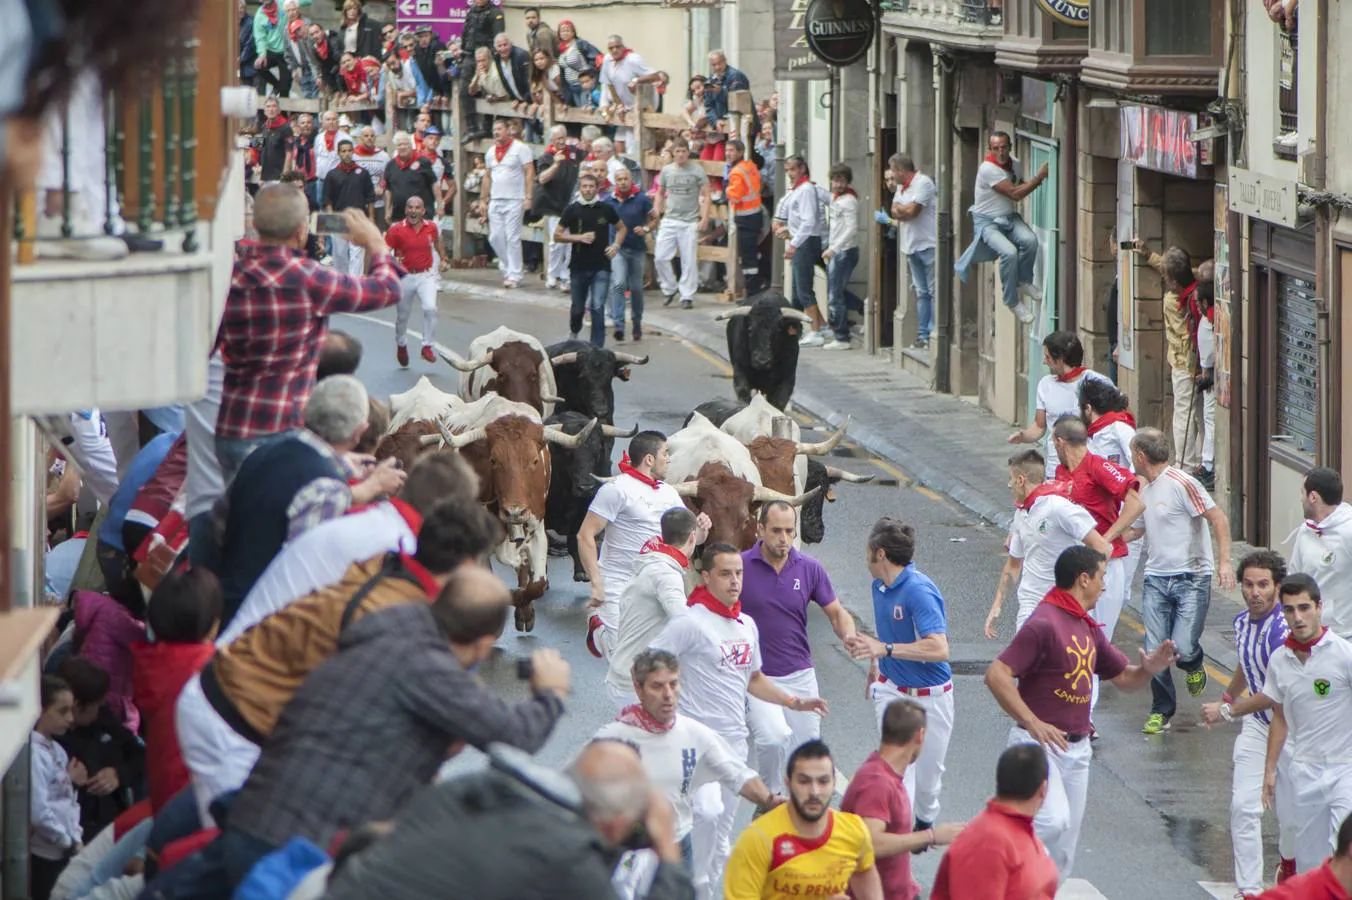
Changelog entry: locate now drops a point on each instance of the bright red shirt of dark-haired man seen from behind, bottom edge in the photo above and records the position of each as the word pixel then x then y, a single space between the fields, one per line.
pixel 997 857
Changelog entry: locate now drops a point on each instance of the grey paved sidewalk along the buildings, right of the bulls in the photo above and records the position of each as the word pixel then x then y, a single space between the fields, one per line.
pixel 946 444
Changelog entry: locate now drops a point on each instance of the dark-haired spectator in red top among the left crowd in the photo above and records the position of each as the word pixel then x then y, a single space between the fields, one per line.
pixel 183 618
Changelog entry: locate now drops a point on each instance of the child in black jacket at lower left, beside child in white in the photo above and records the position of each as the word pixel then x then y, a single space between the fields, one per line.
pixel 110 753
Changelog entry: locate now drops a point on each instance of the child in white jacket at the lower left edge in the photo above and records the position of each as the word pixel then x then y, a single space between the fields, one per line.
pixel 55 818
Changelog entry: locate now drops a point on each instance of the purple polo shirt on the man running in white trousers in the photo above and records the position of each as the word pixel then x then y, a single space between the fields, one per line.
pixel 778 602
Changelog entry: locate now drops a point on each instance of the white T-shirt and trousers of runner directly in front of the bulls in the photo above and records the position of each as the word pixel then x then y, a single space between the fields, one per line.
pixel 633 513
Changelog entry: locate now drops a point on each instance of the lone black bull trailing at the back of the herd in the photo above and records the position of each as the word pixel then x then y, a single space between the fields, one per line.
pixel 763 348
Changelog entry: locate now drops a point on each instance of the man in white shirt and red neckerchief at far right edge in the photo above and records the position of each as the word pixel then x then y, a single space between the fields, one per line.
pixel 1324 547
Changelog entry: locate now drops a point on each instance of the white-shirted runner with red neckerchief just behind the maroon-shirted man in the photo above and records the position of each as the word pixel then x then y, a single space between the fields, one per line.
pixel 1046 524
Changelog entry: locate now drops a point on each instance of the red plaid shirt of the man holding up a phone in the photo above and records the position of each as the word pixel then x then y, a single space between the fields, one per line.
pixel 276 318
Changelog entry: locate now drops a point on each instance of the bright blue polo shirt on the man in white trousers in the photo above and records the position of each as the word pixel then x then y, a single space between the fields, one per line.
pixel 904 613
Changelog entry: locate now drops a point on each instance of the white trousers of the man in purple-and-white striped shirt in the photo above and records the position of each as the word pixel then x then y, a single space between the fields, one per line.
pixel 1247 806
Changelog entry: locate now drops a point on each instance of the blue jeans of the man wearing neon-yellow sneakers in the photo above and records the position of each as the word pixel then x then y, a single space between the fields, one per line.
pixel 1174 609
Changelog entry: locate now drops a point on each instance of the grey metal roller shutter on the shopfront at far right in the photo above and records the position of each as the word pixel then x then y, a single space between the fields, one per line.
pixel 1297 364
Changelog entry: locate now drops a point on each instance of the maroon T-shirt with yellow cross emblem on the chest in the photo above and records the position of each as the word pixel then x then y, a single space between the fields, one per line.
pixel 1054 656
